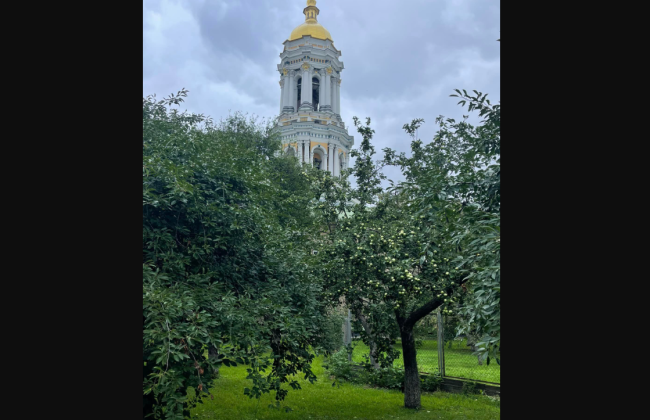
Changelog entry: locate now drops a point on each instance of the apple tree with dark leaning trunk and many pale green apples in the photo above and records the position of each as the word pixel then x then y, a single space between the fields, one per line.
pixel 388 258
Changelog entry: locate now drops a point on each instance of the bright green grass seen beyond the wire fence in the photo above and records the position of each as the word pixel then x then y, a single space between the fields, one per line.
pixel 459 361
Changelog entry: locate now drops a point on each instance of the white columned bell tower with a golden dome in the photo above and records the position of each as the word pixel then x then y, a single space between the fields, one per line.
pixel 310 121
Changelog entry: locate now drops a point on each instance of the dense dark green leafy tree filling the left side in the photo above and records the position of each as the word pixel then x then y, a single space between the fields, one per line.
pixel 228 277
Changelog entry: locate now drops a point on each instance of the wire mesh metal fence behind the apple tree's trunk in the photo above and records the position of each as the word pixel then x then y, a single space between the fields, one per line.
pixel 439 349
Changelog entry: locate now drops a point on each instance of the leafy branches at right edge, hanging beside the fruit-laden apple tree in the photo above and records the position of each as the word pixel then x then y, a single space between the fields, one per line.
pixel 457 177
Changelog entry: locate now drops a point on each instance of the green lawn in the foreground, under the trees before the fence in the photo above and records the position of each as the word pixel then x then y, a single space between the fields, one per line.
pixel 321 401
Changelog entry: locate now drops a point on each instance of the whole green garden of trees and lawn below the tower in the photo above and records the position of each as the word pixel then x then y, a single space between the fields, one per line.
pixel 250 261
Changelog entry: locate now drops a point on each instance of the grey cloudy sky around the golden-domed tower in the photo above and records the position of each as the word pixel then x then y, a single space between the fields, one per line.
pixel 403 58
